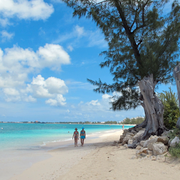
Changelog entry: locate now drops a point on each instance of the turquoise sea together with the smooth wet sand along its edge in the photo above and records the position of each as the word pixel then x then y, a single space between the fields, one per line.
pixel 23 144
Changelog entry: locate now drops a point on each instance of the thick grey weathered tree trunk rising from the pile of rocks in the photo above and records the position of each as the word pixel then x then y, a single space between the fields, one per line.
pixel 153 108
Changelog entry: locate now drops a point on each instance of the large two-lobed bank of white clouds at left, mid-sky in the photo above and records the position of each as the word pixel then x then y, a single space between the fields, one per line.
pixel 17 63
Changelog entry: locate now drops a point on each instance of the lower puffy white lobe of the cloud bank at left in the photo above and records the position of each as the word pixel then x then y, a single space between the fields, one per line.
pixel 51 88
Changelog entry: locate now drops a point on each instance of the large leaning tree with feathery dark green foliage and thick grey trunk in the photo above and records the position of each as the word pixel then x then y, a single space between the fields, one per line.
pixel 142 50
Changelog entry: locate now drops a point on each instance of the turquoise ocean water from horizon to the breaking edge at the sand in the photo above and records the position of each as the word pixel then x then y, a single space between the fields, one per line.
pixel 19 135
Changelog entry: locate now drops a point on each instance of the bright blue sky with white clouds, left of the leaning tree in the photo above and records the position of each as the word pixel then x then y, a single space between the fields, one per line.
pixel 46 56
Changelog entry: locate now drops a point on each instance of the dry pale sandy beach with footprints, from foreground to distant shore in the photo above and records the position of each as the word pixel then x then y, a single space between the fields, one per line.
pixel 100 160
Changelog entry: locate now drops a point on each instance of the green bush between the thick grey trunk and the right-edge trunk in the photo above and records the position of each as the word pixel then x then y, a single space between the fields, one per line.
pixel 171 109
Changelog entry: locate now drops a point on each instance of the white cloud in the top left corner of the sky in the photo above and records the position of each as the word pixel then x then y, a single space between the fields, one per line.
pixel 25 9
